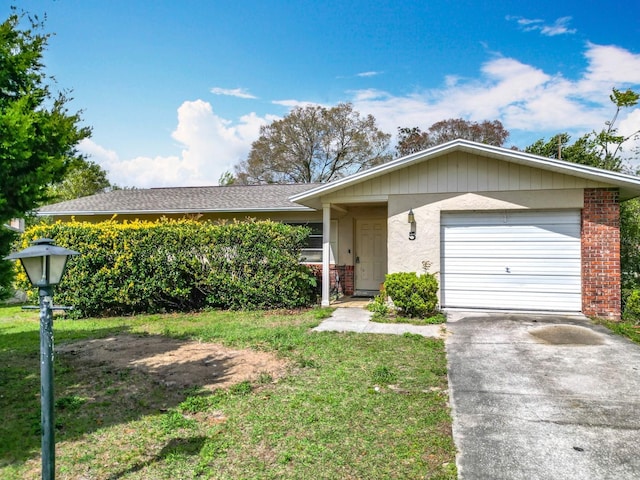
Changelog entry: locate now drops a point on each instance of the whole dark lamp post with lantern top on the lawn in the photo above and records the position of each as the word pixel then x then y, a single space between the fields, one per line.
pixel 44 263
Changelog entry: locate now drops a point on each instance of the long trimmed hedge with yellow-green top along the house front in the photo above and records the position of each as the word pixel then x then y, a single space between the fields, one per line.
pixel 179 265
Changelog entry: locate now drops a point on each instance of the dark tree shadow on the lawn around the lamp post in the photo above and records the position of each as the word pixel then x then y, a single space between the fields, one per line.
pixel 90 395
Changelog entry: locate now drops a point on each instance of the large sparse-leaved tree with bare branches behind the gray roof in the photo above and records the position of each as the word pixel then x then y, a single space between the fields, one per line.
pixel 314 144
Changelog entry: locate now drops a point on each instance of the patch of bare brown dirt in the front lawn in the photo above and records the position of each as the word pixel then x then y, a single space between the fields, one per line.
pixel 175 363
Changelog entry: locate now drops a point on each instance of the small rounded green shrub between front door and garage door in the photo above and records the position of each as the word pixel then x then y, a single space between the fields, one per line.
pixel 412 295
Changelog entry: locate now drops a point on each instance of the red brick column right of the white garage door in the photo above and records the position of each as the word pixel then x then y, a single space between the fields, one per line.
pixel 601 253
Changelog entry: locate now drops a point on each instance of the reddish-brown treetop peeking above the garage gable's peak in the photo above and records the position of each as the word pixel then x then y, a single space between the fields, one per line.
pixel 412 140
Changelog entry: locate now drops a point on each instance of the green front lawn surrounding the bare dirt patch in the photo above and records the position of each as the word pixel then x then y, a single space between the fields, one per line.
pixel 333 415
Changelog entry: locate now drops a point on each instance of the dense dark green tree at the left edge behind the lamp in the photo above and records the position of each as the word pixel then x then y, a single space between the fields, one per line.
pixel 38 135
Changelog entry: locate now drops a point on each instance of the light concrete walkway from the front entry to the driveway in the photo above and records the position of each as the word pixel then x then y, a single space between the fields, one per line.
pixel 356 319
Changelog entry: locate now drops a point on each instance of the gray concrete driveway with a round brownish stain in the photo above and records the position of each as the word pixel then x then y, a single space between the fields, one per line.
pixel 543 397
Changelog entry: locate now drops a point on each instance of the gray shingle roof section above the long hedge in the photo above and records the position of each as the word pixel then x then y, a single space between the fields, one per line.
pixel 233 198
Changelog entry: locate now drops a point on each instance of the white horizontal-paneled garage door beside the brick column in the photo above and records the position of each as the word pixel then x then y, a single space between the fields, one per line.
pixel 523 260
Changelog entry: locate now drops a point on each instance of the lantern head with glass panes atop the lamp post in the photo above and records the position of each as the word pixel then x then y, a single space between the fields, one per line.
pixel 43 261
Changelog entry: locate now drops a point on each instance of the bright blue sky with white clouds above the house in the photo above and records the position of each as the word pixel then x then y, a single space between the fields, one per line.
pixel 176 91
